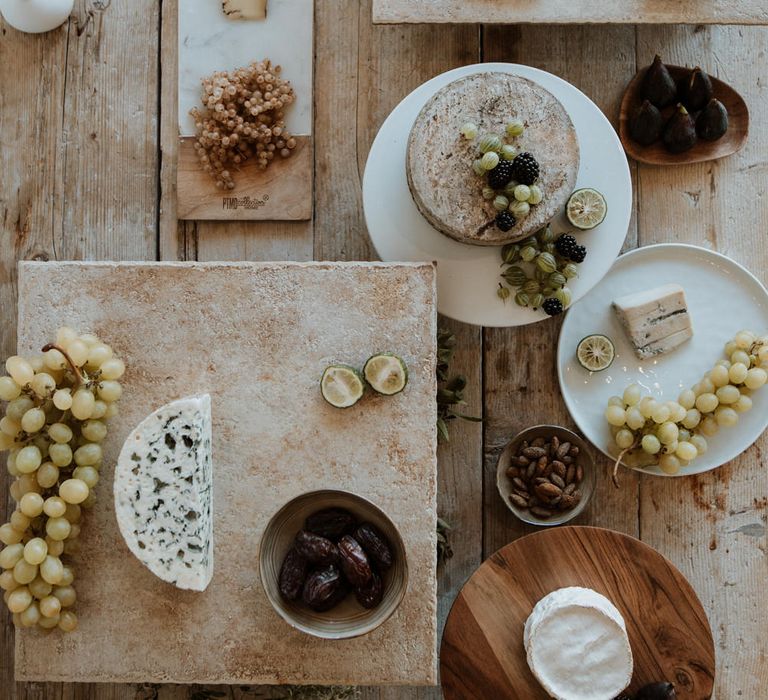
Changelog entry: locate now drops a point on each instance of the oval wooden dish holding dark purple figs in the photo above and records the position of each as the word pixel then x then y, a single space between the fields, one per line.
pixel 656 154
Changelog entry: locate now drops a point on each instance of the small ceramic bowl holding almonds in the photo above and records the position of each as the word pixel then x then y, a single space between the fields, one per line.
pixel 587 487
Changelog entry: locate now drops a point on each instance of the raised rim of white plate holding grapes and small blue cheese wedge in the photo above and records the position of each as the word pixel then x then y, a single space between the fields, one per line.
pixel 645 250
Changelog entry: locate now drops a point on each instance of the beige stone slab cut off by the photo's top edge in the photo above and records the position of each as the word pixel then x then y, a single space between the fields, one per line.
pixel 571 12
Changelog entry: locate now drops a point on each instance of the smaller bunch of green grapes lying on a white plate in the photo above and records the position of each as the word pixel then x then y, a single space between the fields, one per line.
pixel 671 434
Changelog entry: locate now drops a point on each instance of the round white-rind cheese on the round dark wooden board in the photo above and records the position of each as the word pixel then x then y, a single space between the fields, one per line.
pixel 577 645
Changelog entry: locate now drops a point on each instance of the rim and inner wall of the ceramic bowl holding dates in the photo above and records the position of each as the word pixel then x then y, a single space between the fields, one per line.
pixel 365 626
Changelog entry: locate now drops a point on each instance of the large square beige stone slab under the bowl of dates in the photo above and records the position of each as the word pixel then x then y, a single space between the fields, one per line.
pixel 256 337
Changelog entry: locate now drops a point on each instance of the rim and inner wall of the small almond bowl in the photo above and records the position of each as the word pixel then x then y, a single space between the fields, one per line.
pixel 590 476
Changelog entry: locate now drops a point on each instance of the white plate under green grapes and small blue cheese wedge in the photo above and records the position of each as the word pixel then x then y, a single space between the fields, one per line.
pixel 723 298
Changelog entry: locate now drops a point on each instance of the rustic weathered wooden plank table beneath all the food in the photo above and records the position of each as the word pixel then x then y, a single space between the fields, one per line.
pixel 88 134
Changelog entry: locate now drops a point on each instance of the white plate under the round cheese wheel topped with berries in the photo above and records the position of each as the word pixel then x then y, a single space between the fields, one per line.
pixel 467 275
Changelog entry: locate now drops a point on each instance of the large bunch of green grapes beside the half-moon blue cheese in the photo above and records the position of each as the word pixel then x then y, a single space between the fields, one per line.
pixel 54 424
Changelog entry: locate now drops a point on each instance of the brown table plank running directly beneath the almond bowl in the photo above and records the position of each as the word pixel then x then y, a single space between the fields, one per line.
pixel 521 387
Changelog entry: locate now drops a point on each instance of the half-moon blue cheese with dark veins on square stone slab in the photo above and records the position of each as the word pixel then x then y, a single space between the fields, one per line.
pixel 163 493
